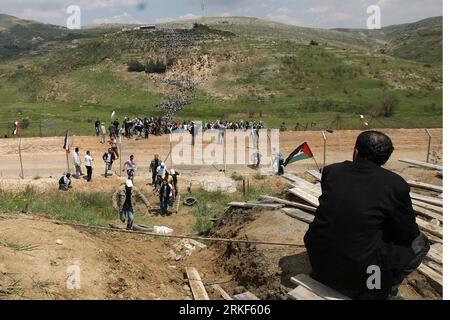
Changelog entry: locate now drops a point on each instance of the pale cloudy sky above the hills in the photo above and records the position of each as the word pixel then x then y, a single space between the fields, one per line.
pixel 307 13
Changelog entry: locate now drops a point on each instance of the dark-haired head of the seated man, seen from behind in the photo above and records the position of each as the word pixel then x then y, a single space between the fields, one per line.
pixel 374 146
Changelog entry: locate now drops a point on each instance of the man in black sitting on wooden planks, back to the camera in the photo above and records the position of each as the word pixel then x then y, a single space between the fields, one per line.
pixel 365 225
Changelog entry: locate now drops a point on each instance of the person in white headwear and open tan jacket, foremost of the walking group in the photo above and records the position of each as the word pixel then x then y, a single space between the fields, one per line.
pixel 124 199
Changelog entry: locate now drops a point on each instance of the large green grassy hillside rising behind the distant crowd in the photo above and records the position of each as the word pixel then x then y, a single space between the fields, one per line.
pixel 238 77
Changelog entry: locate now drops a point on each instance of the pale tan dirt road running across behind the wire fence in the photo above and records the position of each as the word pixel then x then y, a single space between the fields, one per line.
pixel 45 157
